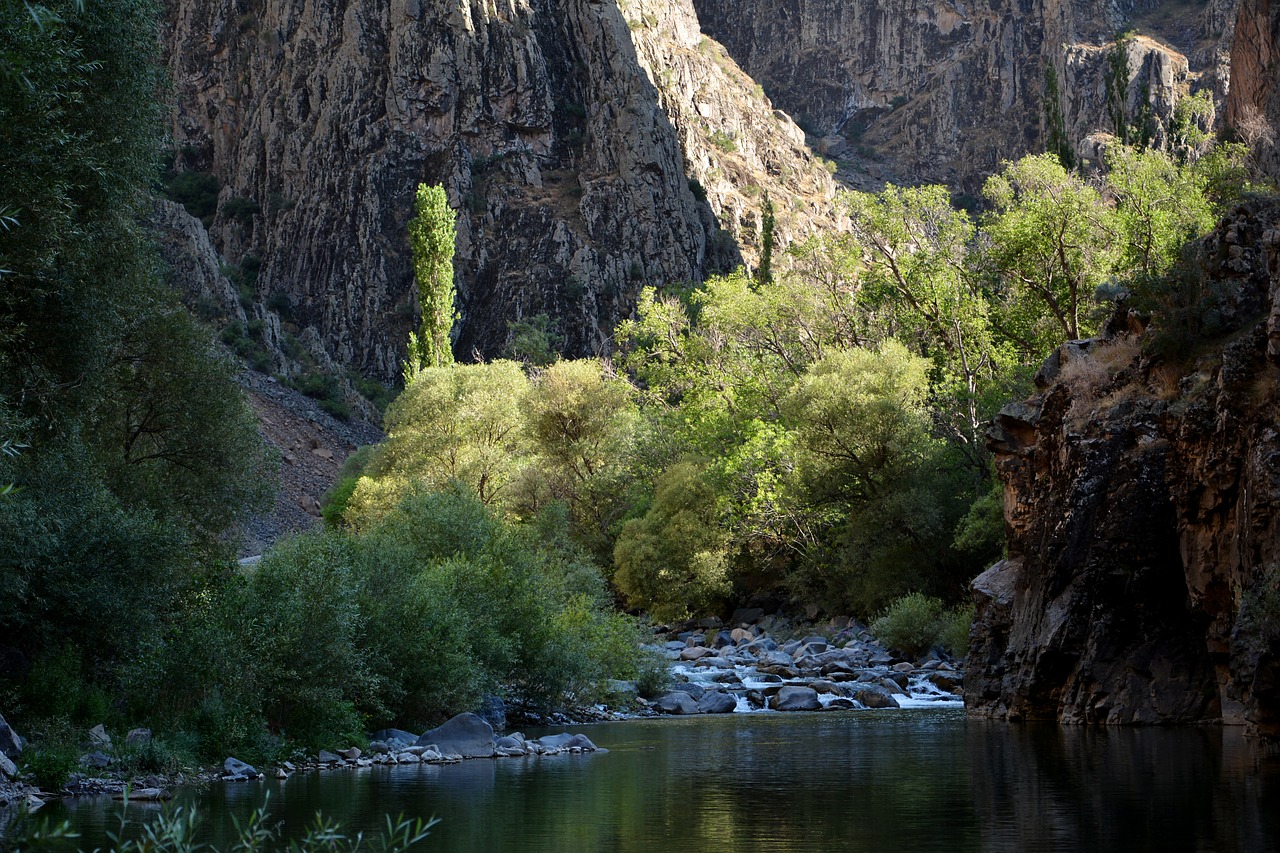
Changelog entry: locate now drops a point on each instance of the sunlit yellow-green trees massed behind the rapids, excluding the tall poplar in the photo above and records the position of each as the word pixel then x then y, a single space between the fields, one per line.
pixel 817 432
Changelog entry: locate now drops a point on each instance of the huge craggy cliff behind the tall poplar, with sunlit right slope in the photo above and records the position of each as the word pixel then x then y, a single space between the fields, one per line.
pixel 566 133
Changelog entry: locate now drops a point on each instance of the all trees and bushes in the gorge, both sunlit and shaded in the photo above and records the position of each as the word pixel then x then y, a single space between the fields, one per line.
pixel 812 431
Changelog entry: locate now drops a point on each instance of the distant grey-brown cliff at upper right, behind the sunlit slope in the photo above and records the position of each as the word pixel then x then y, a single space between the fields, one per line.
pixel 944 92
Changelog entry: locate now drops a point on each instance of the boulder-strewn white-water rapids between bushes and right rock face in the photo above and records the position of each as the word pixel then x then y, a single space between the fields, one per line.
pixel 739 669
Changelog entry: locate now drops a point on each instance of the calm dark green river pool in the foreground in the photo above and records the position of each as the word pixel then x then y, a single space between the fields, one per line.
pixel 836 782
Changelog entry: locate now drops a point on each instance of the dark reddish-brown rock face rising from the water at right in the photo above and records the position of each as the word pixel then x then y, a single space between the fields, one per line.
pixel 1142 500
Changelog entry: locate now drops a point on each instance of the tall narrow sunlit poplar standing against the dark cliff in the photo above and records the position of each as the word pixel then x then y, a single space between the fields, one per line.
pixel 432 236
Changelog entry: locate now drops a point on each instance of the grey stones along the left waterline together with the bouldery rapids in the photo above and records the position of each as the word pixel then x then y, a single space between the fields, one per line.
pixel 753 664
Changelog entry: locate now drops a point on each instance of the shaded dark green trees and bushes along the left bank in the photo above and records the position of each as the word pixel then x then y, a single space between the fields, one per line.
pixel 130 458
